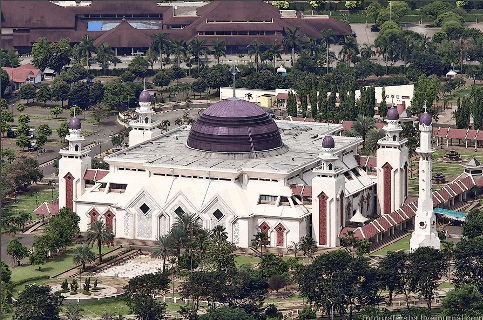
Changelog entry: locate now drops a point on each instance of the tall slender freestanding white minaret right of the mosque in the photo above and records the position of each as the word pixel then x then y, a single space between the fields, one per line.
pixel 425 234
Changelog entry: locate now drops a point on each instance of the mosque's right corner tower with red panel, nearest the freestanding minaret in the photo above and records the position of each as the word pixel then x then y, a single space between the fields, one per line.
pixel 392 165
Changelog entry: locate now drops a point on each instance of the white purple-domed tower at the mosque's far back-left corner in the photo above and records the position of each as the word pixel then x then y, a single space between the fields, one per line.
pixel 143 128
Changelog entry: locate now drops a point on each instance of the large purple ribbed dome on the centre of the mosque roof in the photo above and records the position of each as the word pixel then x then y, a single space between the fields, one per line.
pixel 234 126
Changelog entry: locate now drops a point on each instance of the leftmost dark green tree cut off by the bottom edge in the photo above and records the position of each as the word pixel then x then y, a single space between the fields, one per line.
pixel 38 302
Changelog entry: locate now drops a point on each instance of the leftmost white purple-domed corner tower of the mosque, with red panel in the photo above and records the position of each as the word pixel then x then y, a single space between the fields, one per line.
pixel 72 166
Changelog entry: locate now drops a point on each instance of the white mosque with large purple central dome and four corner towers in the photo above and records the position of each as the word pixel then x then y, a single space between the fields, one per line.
pixel 238 168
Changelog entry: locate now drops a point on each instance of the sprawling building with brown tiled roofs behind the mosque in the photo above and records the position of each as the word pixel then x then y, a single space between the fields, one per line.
pixel 238 23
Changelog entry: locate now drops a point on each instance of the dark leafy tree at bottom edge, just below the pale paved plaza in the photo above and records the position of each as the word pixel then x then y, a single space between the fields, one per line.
pixel 140 295
